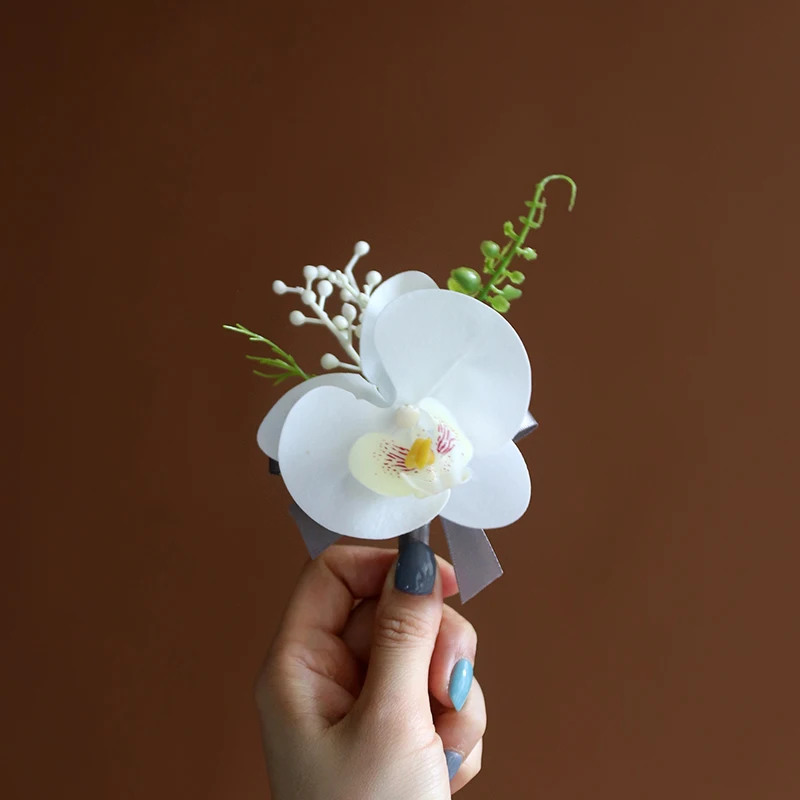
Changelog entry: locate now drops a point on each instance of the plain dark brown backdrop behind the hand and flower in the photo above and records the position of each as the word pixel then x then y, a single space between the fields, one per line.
pixel 163 163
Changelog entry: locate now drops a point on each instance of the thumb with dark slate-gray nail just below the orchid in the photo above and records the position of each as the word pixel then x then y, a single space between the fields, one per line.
pixel 406 625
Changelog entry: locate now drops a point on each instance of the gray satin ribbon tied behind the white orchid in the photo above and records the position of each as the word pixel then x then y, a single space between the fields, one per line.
pixel 473 558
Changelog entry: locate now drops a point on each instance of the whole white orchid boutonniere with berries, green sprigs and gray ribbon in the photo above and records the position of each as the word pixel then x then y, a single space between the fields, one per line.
pixel 418 411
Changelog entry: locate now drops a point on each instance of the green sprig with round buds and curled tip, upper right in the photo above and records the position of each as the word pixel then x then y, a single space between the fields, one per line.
pixel 496 292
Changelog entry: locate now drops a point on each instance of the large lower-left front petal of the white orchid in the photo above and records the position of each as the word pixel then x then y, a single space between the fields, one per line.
pixel 317 436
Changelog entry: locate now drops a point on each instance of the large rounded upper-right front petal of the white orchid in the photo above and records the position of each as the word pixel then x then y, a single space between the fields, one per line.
pixel 455 349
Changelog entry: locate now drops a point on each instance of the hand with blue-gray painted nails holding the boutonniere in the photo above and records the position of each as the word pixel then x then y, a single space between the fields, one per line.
pixel 359 693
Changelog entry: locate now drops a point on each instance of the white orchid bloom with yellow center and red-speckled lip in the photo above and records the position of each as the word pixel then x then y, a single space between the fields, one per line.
pixel 427 431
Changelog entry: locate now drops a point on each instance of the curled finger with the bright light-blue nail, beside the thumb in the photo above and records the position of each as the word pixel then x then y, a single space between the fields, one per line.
pixel 453 660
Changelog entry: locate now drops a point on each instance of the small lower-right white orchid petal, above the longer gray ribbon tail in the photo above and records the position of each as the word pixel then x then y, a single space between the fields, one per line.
pixel 498 493
